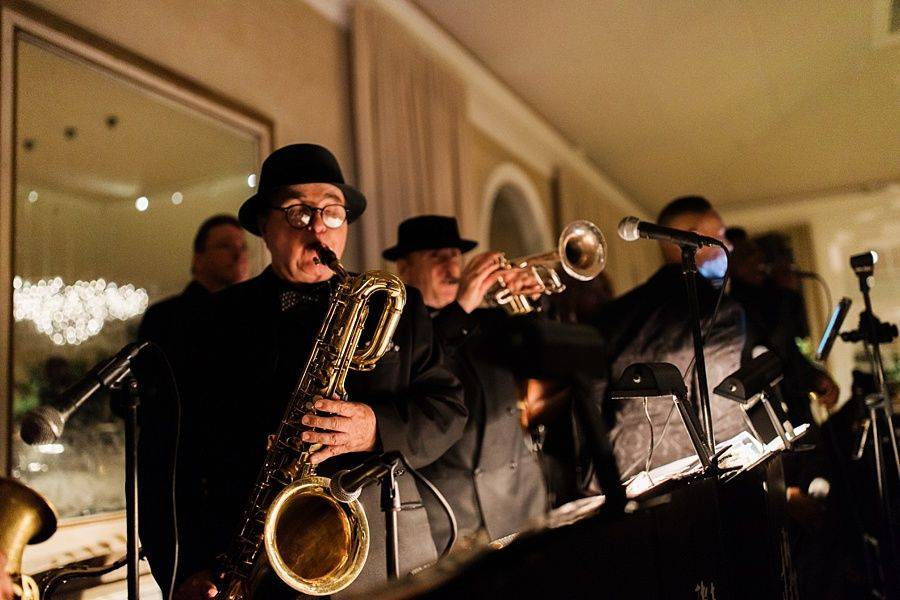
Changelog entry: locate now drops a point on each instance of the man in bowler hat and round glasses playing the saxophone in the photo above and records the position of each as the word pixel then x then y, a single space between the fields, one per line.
pixel 258 335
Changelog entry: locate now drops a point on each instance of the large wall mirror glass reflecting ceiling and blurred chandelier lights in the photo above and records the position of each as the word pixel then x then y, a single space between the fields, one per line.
pixel 111 180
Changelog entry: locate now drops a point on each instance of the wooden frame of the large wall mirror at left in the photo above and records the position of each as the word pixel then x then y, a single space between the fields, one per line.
pixel 22 21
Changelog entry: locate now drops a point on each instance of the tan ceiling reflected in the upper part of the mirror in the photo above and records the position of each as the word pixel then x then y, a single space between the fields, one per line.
pixel 155 146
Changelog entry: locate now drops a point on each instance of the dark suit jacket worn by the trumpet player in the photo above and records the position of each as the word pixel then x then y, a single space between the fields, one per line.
pixel 489 477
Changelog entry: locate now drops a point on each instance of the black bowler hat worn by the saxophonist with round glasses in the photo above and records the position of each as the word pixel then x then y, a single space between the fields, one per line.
pixel 298 163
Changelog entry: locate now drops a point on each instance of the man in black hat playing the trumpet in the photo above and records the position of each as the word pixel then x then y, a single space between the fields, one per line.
pixel 490 477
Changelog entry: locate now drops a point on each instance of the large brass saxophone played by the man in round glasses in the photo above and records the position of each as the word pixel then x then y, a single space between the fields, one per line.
pixel 314 543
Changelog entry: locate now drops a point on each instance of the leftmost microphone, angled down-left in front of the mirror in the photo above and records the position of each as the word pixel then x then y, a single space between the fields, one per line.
pixel 44 424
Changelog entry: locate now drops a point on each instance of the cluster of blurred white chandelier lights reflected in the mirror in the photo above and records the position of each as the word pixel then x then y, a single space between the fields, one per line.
pixel 72 314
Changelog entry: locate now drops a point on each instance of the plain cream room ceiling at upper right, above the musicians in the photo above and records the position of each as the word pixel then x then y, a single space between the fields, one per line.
pixel 743 102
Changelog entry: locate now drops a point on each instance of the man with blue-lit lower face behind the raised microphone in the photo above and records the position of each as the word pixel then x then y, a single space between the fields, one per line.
pixel 652 324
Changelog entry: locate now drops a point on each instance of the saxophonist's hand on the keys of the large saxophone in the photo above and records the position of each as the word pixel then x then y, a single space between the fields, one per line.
pixel 349 427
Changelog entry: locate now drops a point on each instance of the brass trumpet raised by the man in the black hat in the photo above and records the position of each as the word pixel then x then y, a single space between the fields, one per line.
pixel 580 251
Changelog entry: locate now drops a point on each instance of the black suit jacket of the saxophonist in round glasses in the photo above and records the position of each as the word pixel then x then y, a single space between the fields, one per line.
pixel 417 402
